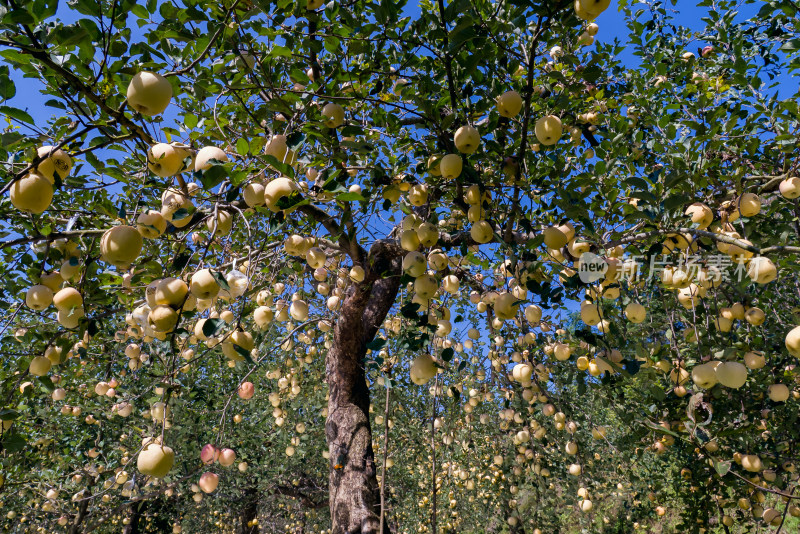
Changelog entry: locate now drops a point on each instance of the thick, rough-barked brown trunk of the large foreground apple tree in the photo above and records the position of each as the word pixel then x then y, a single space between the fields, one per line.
pixel 354 490
